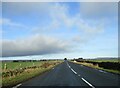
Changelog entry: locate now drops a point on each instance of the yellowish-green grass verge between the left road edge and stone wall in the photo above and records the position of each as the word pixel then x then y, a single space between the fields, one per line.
pixel 26 75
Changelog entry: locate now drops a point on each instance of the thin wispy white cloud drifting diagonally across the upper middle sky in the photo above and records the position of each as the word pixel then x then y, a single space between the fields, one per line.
pixel 61 18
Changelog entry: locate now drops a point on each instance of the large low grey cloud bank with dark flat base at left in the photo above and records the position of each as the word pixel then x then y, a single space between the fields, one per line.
pixel 35 45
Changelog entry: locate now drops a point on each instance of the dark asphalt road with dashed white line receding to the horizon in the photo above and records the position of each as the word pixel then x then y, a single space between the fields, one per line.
pixel 70 74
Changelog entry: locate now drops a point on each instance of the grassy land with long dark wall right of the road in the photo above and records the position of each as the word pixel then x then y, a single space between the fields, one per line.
pixel 110 65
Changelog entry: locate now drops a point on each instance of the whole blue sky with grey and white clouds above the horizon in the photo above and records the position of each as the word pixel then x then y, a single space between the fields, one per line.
pixel 59 29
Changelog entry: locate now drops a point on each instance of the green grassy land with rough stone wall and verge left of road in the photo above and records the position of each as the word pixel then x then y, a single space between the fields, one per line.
pixel 16 72
